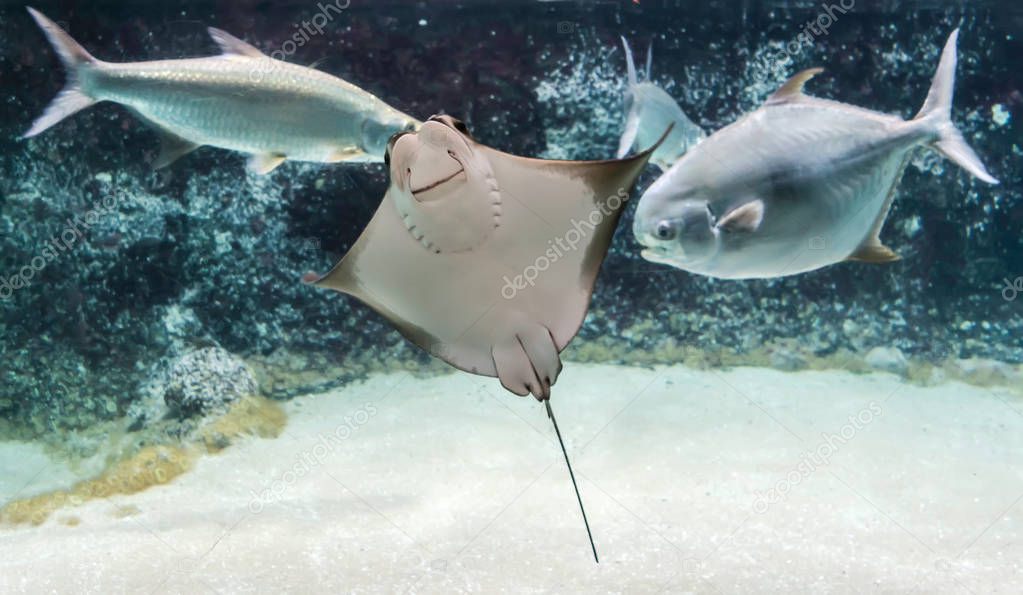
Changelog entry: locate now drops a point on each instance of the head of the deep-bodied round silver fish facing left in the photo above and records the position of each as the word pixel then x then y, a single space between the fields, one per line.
pixel 676 230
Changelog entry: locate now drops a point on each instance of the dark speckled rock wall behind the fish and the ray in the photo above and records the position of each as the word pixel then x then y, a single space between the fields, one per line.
pixel 204 253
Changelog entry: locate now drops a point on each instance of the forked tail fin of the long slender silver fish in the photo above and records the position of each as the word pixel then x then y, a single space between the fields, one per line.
pixel 72 99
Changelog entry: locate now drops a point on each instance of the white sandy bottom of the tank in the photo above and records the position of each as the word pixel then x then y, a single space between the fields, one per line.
pixel 694 482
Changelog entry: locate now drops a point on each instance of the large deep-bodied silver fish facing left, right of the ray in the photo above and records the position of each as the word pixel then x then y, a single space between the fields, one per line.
pixel 796 186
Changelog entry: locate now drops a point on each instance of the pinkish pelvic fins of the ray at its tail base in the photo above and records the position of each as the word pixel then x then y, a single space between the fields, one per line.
pixel 528 362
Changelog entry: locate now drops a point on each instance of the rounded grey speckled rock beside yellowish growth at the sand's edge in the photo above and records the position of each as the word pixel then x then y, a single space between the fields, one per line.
pixel 206 381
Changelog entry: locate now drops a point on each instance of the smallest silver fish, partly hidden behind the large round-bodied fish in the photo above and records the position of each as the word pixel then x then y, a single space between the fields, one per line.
pixel 651 112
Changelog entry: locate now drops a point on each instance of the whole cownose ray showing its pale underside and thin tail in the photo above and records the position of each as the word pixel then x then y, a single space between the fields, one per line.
pixel 484 259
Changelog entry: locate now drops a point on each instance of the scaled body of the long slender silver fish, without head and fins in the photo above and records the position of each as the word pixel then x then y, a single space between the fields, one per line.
pixel 214 102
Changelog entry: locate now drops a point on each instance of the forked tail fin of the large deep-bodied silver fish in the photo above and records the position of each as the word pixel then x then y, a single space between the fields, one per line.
pixel 938 110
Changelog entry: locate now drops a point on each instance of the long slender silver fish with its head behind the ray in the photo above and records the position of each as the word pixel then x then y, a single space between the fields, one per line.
pixel 241 101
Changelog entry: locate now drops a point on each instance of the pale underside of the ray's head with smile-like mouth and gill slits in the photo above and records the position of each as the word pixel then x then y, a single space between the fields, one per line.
pixel 443 186
